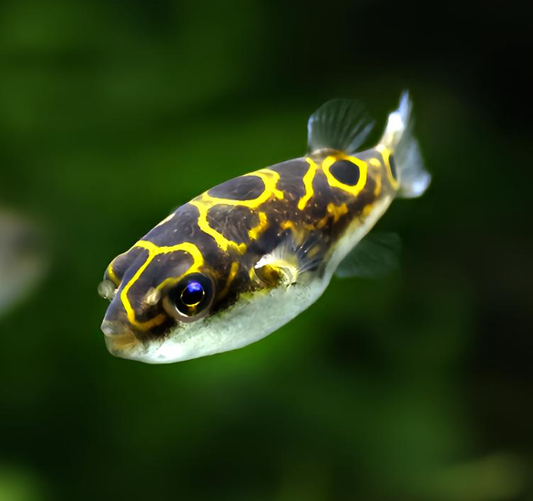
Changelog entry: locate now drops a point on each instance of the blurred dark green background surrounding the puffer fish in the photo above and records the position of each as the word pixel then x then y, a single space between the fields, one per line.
pixel 413 387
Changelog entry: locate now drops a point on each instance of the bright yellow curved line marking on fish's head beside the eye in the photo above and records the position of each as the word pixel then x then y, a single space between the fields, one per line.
pixel 153 251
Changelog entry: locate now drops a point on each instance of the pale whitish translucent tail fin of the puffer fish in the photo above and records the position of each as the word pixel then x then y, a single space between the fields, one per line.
pixel 398 139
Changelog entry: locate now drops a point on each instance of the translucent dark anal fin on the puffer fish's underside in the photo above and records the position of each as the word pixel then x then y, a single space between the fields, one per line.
pixel 375 256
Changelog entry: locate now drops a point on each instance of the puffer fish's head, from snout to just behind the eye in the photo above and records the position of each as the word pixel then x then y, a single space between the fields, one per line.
pixel 154 293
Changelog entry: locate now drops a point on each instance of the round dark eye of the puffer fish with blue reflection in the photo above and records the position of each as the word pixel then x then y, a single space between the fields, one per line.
pixel 191 298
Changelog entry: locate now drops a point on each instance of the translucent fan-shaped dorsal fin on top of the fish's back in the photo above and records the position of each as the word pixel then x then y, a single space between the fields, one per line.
pixel 340 124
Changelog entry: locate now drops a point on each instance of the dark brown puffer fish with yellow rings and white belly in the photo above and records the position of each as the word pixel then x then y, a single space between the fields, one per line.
pixel 244 258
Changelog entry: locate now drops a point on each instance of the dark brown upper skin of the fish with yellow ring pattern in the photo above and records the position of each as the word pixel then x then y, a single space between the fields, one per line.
pixel 224 232
